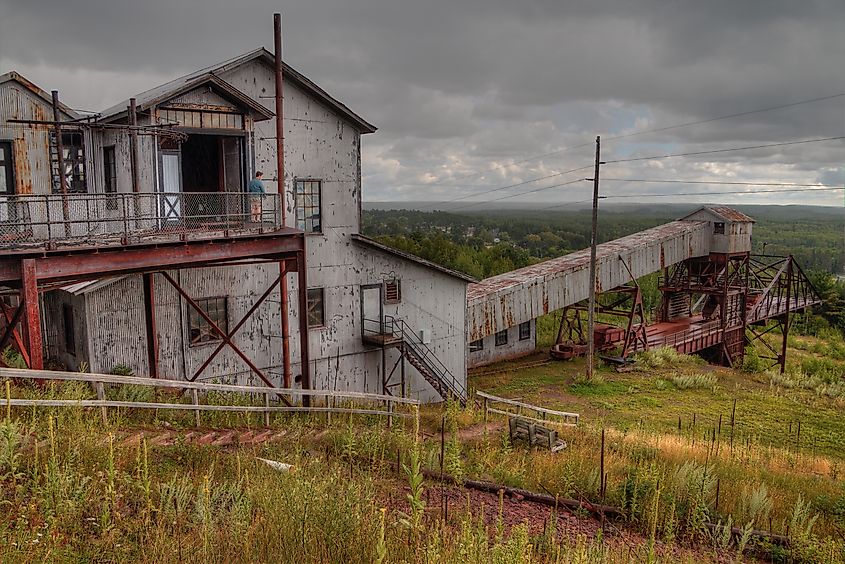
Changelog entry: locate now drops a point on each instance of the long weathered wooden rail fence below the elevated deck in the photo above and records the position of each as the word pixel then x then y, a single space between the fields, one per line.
pixel 98 382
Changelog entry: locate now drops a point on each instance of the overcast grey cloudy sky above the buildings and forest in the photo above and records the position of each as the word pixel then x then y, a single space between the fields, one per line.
pixel 463 92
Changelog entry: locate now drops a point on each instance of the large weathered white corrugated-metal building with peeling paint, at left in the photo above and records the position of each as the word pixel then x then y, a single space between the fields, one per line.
pixel 222 134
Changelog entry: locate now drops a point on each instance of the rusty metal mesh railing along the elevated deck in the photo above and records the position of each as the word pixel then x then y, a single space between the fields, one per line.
pixel 77 219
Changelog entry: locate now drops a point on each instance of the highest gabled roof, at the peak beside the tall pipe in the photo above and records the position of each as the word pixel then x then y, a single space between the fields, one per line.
pixel 177 86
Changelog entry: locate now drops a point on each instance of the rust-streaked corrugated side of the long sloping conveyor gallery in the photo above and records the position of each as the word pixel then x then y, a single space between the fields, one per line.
pixel 507 300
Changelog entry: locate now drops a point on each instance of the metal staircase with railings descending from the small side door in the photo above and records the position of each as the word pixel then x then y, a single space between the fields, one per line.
pixel 395 332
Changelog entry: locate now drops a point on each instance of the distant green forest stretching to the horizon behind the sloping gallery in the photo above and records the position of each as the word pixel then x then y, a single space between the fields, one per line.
pixel 487 243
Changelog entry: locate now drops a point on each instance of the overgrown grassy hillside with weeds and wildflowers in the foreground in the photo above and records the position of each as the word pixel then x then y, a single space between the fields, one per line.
pixel 149 487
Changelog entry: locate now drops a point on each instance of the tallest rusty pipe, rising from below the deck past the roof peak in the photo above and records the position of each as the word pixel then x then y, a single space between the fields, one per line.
pixel 280 186
